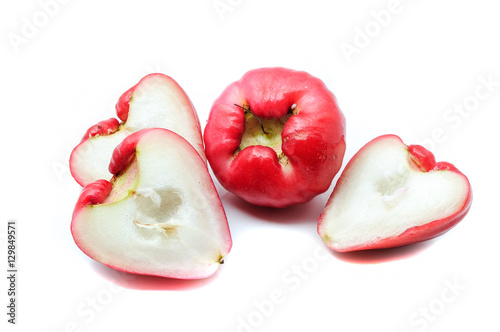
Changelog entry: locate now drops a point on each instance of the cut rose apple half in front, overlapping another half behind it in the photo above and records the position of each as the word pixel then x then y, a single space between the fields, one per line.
pixel 160 214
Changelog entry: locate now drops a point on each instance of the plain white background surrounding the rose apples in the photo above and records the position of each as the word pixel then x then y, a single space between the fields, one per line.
pixel 409 73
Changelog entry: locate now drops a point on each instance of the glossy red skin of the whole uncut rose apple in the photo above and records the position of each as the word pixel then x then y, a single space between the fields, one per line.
pixel 313 140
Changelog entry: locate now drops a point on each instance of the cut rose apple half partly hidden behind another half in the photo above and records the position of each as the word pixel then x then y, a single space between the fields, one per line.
pixel 157 101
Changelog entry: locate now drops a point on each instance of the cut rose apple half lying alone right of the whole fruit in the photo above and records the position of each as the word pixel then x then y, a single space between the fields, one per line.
pixel 392 195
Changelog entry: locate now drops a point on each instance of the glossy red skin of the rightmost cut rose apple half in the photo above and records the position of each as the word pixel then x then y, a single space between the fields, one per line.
pixel 427 163
